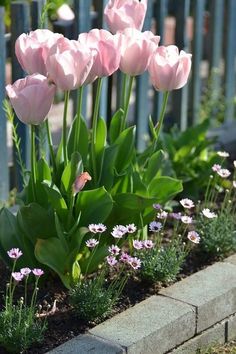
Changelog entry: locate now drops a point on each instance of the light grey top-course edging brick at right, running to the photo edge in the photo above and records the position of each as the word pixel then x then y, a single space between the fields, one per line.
pixel 212 291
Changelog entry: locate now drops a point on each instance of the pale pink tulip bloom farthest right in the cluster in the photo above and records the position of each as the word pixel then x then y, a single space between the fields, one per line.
pixel 169 69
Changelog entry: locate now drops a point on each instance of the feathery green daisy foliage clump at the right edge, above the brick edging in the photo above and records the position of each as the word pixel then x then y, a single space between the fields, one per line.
pixel 218 235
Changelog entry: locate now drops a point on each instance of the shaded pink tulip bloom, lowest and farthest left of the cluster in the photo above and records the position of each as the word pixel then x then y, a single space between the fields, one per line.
pixel 31 98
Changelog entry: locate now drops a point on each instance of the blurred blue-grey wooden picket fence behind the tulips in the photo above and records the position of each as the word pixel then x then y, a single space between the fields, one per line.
pixel 206 28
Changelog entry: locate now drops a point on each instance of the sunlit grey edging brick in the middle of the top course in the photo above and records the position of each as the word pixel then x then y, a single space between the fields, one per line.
pixel 154 326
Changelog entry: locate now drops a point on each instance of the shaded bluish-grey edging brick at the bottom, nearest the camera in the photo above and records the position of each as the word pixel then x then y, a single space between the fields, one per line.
pixel 87 344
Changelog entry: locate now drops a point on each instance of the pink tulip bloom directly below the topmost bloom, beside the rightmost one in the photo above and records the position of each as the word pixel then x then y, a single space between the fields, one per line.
pixel 136 50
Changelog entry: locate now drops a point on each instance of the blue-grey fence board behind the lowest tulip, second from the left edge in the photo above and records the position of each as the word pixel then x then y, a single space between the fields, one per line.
pixel 20 24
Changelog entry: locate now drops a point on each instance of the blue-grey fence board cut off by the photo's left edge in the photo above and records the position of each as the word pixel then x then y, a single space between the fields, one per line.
pixel 4 171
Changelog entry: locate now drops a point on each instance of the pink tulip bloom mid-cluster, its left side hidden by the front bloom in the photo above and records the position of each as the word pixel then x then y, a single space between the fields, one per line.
pixel 105 47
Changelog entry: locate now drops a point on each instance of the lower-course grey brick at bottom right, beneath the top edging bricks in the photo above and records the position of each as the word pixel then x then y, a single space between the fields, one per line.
pixel 208 338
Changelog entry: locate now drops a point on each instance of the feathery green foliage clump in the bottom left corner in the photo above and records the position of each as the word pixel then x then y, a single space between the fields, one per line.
pixel 19 329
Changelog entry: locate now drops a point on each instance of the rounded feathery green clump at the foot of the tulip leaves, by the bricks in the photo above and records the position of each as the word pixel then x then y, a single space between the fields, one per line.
pixel 92 300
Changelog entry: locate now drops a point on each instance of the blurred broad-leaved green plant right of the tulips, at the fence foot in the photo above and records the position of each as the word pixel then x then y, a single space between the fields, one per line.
pixel 191 156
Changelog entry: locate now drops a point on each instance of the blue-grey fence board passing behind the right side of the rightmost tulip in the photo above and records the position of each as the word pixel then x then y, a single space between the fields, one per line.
pixel 180 97
